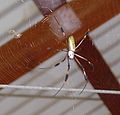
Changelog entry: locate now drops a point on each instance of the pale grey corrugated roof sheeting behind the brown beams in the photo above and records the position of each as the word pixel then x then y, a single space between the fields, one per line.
pixel 21 15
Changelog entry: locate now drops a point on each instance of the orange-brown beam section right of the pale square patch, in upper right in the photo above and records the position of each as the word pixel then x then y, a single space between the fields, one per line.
pixel 93 13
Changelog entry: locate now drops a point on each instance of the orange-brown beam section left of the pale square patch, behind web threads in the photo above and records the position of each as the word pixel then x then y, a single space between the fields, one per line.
pixel 21 55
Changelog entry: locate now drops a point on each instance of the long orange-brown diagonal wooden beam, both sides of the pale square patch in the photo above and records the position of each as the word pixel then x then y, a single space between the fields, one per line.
pixel 20 55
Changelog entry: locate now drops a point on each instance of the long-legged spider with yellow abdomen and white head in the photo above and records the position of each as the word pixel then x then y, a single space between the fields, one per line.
pixel 72 55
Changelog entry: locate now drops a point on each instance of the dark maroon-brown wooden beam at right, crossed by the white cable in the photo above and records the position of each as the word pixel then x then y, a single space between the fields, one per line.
pixel 101 77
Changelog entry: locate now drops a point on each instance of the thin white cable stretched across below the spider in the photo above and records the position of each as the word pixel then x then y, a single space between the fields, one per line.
pixel 56 89
